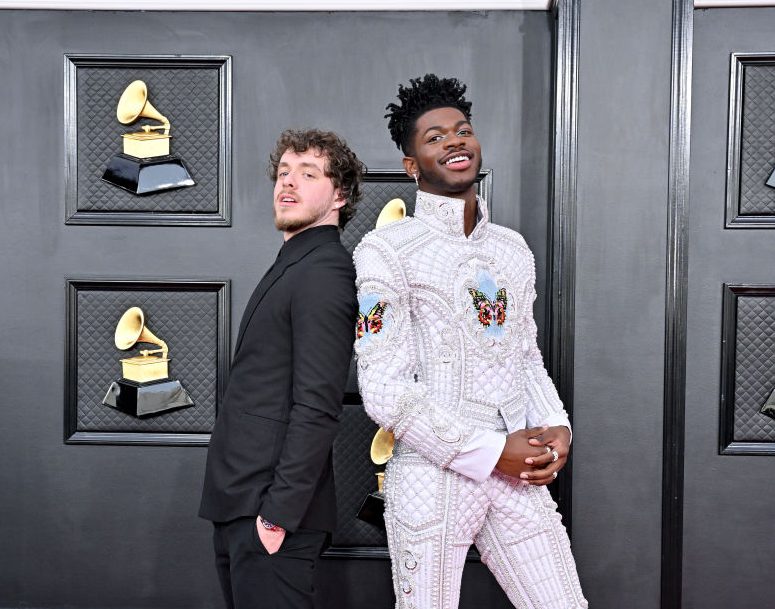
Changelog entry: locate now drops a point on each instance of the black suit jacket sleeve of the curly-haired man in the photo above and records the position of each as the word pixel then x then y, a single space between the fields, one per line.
pixel 323 309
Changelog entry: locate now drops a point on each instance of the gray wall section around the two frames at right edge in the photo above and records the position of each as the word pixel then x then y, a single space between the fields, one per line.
pixel 728 499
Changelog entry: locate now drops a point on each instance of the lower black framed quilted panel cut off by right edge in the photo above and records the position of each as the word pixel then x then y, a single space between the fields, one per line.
pixel 747 370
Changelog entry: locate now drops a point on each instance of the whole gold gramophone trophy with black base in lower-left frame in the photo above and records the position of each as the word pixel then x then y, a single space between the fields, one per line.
pixel 145 387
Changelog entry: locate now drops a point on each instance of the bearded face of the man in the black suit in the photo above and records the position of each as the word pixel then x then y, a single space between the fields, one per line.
pixel 304 196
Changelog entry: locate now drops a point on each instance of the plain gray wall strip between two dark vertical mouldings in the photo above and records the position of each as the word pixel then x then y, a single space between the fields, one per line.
pixel 623 150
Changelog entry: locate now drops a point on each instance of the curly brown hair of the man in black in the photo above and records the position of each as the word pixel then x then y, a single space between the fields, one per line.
pixel 342 166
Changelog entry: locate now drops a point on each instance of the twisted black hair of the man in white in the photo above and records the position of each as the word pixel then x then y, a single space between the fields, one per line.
pixel 423 94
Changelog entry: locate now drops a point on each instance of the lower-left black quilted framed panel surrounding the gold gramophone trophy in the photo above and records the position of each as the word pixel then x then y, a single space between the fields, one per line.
pixel 191 316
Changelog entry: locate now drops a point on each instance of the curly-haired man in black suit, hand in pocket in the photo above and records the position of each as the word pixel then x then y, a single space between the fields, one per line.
pixel 269 487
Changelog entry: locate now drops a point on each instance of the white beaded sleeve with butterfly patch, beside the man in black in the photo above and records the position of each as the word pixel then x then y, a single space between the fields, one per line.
pixel 390 374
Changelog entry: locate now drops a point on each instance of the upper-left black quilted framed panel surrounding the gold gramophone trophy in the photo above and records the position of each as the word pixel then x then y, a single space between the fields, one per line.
pixel 193 92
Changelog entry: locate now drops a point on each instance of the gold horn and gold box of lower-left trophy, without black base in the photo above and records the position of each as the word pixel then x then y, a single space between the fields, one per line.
pixel 147 366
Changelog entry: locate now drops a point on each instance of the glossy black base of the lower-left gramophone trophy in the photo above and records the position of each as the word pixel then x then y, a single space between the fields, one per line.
pixel 147 399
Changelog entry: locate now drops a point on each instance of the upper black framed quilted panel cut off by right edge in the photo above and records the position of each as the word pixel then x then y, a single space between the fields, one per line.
pixel 750 203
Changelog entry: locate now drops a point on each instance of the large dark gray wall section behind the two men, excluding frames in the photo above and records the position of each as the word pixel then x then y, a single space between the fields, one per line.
pixel 112 526
